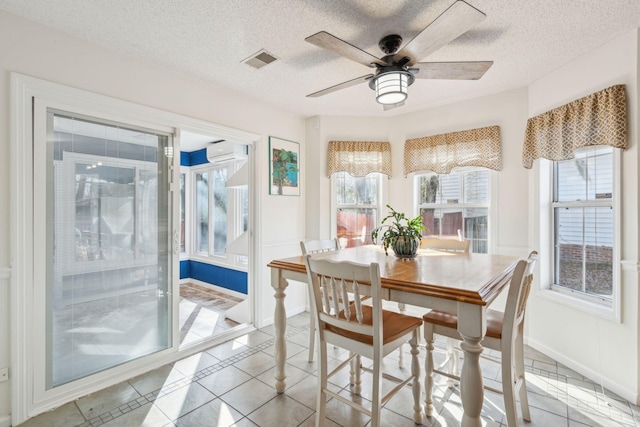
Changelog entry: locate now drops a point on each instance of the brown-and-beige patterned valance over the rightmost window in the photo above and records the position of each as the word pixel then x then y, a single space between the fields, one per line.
pixel 597 119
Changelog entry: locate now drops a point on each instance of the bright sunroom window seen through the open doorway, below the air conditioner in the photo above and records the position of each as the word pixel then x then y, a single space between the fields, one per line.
pixel 221 213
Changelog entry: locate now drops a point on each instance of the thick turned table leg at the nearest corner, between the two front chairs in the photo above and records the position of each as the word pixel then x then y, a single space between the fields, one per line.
pixel 472 327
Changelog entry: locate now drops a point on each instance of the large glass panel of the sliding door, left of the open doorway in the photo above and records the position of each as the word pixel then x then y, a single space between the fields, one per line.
pixel 108 245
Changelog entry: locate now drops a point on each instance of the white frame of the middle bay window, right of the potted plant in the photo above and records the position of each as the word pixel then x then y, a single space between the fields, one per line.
pixel 491 206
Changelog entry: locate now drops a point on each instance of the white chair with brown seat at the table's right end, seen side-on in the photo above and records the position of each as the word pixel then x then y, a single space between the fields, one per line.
pixel 504 334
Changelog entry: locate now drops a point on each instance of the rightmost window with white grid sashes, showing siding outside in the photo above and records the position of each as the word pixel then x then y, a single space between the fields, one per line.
pixel 583 224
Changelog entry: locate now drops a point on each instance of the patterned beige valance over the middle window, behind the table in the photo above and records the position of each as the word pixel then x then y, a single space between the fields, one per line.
pixel 441 153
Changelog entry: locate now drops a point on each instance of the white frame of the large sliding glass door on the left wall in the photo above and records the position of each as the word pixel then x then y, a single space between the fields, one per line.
pixel 26 92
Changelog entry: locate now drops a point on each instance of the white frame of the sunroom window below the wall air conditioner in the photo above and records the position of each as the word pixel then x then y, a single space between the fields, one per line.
pixel 234 218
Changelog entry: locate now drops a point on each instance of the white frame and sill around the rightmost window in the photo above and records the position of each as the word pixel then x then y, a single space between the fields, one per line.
pixel 577 300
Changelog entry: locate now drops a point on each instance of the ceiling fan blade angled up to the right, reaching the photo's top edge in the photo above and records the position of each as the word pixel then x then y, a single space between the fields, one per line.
pixel 454 21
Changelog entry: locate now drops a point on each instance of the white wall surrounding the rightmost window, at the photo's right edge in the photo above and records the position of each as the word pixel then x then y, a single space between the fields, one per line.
pixel 603 349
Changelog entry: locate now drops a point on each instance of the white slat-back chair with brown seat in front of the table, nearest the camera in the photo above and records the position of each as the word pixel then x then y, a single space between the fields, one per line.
pixel 363 330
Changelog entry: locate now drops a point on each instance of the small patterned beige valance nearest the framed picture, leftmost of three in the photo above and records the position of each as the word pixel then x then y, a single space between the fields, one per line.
pixel 359 158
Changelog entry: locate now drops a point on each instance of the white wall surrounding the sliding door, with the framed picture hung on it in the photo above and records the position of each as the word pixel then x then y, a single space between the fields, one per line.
pixel 37 51
